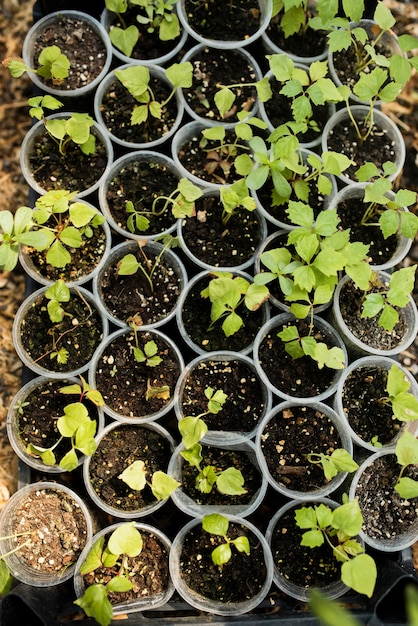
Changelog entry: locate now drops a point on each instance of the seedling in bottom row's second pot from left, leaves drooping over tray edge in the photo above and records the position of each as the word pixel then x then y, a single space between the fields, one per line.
pixel 123 544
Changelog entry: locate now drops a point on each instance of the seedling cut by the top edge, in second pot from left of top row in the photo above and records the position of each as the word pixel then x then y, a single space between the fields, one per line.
pixel 158 16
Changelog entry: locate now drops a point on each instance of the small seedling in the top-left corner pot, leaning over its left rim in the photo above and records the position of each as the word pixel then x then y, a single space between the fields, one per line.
pixel 52 64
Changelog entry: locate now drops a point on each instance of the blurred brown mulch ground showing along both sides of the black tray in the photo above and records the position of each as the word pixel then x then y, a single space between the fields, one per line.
pixel 15 20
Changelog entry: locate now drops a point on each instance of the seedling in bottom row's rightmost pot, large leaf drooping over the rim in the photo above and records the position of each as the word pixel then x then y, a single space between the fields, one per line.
pixel 338 528
